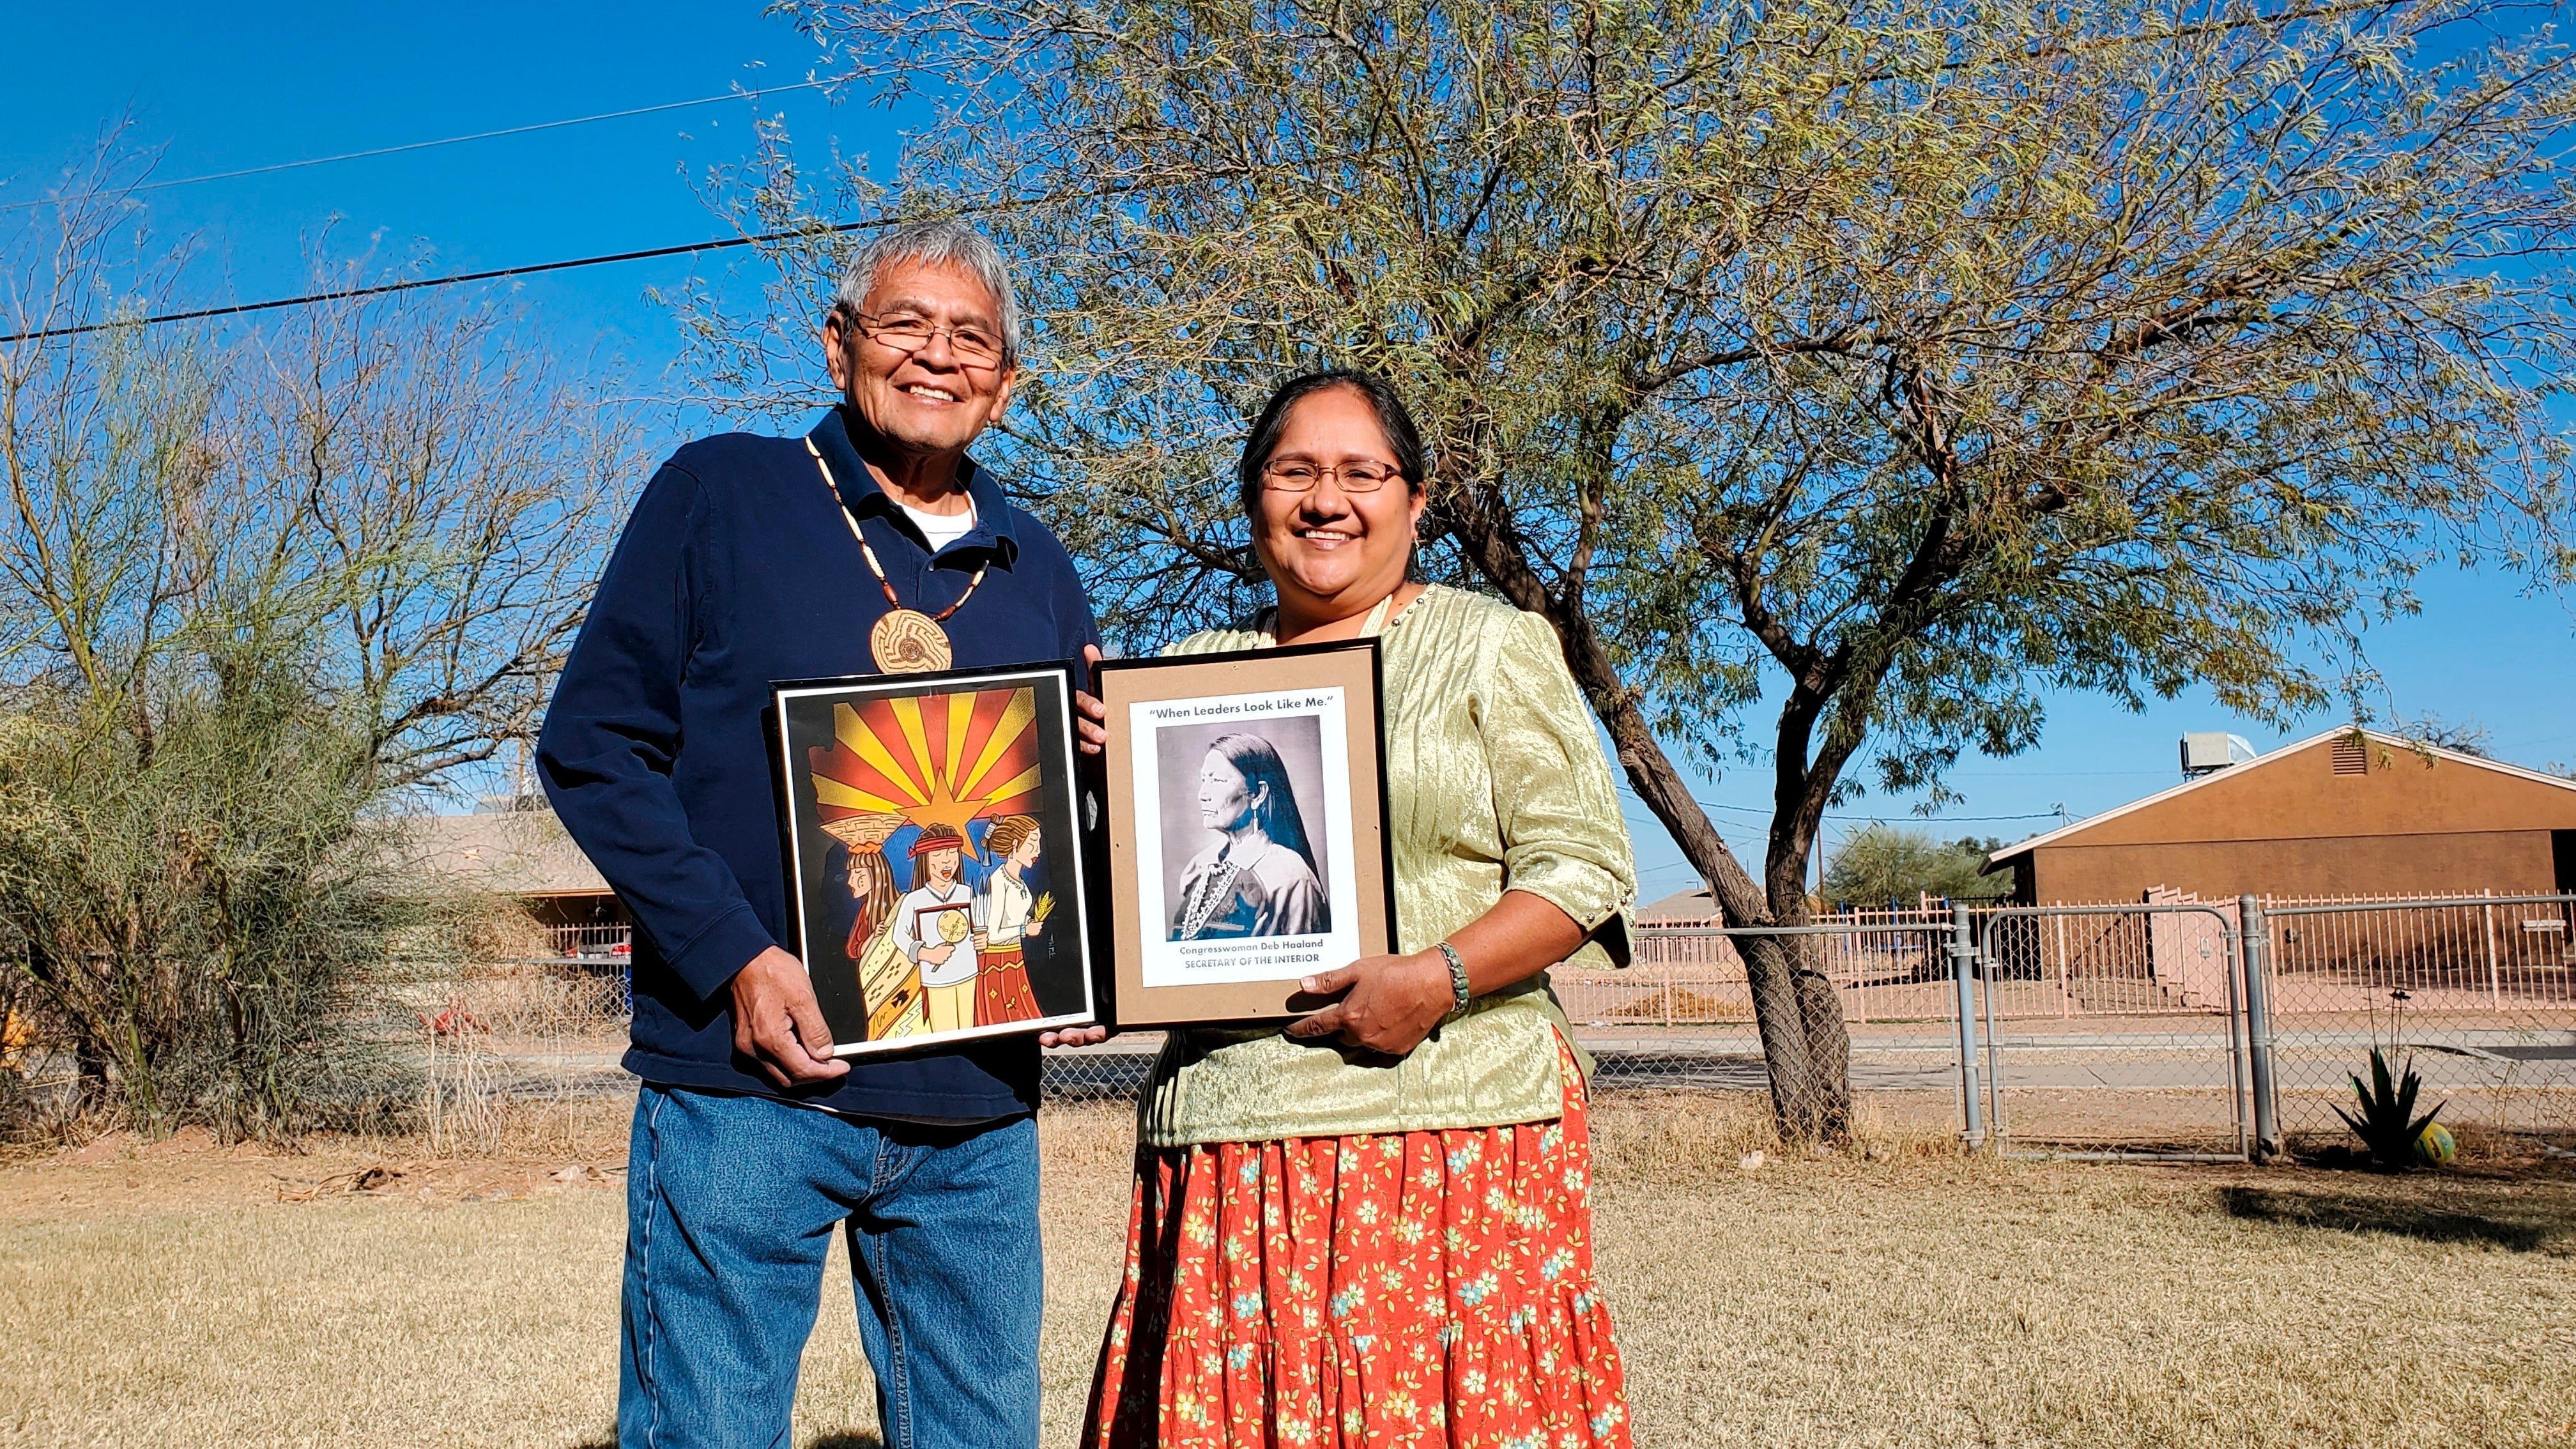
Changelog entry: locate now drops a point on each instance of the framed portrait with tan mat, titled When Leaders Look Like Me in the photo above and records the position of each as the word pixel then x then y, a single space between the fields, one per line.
pixel 1248 829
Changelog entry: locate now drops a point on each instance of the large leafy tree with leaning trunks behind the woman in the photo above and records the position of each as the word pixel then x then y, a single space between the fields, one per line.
pixel 1835 380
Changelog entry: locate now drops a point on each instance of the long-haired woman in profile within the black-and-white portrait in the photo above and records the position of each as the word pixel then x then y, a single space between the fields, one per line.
pixel 1261 880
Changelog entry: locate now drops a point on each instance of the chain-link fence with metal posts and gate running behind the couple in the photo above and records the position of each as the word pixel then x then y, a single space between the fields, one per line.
pixel 2067 1027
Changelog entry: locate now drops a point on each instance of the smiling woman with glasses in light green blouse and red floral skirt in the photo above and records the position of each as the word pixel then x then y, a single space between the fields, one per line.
pixel 1372 1226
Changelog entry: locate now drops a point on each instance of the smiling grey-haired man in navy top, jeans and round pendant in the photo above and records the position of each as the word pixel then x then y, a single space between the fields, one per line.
pixel 869 545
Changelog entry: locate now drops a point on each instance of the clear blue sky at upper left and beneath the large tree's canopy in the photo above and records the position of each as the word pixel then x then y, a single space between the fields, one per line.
pixel 223 89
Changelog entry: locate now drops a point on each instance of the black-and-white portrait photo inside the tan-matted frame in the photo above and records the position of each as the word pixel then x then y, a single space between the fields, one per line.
pixel 1243 819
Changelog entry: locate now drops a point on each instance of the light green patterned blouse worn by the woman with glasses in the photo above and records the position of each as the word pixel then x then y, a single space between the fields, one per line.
pixel 1495 783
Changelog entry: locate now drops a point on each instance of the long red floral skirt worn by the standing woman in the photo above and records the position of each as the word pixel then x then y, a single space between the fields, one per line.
pixel 1341 1293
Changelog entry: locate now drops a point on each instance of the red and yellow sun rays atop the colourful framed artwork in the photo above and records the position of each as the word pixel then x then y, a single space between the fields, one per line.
pixel 939 759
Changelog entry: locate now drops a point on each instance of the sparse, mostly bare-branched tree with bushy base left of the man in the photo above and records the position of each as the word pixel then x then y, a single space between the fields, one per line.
pixel 256 597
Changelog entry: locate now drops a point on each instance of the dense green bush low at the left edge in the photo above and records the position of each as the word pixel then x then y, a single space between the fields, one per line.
pixel 194 917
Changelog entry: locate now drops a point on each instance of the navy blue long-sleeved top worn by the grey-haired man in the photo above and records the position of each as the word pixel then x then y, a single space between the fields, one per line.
pixel 733 574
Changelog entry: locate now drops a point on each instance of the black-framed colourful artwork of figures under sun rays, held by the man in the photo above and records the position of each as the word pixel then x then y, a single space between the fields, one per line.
pixel 936 855
